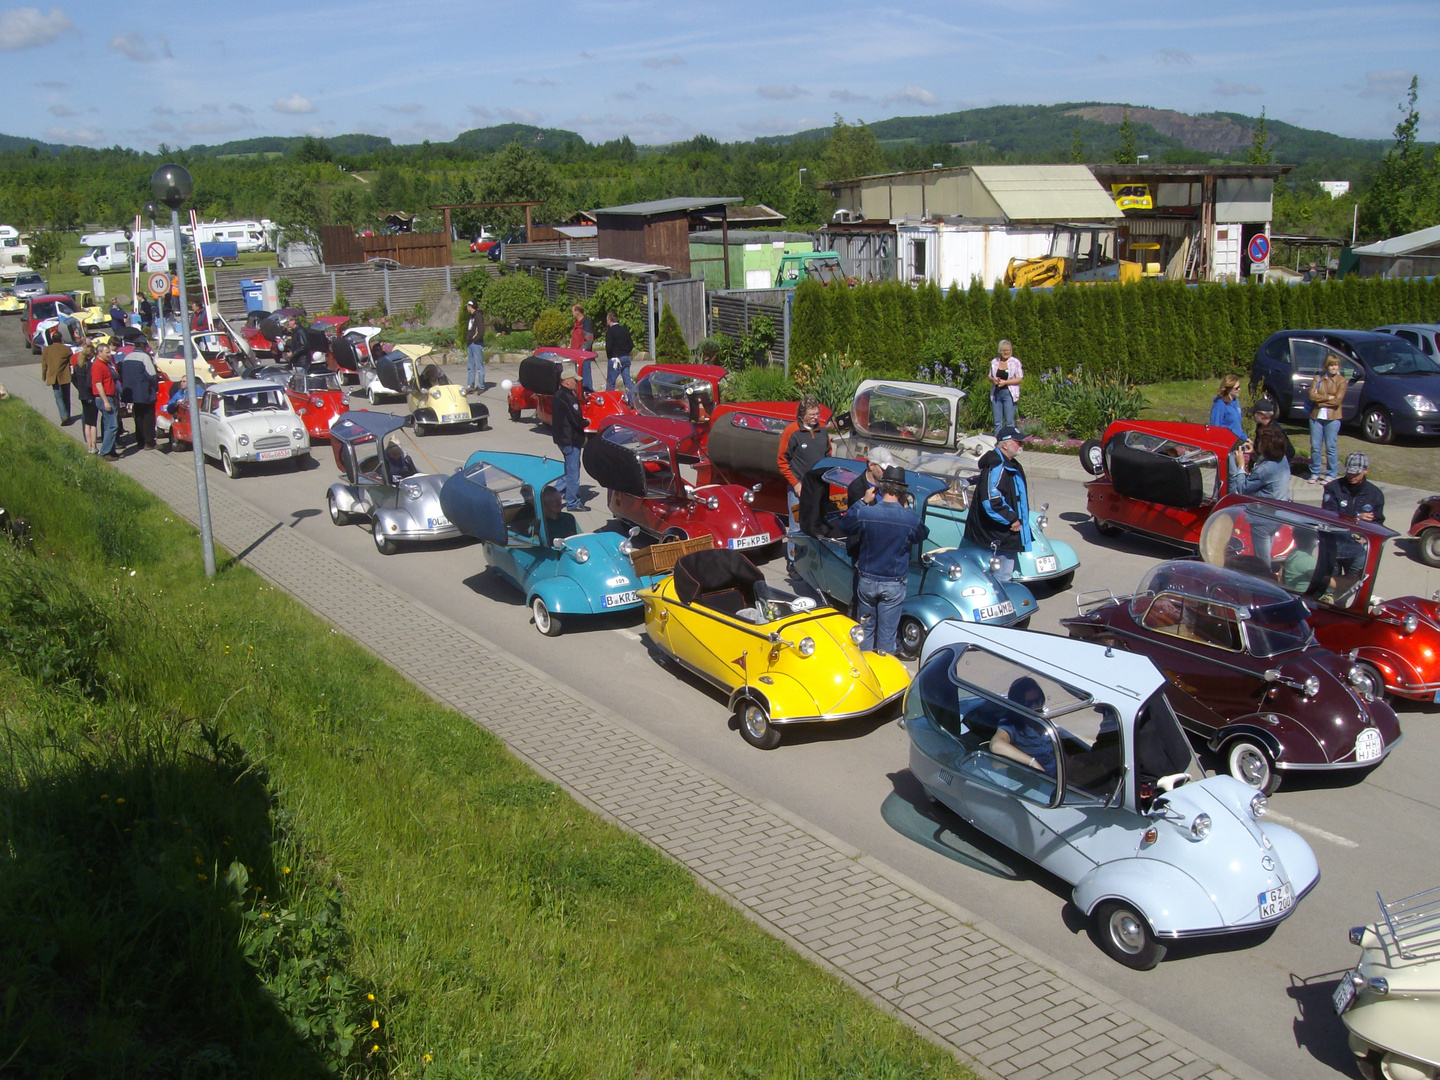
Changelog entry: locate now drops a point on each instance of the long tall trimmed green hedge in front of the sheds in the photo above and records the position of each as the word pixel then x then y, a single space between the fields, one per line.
pixel 1151 332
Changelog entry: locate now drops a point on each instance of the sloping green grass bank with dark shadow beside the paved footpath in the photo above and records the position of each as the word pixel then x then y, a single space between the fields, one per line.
pixel 237 845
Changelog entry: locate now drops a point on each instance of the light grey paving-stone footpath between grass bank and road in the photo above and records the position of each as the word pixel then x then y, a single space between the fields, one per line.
pixel 1002 1007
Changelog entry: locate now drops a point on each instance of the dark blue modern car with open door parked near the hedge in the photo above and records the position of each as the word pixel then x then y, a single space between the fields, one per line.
pixel 1395 388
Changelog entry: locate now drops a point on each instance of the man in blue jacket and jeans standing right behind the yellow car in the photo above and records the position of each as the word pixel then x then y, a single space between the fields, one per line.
pixel 885 534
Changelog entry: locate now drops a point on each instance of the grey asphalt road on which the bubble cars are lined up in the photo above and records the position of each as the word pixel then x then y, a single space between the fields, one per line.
pixel 1265 1000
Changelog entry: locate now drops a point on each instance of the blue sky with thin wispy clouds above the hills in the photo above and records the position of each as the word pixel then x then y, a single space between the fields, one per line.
pixel 662 71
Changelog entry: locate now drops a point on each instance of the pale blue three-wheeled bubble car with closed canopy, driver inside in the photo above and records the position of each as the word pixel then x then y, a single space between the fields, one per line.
pixel 1069 754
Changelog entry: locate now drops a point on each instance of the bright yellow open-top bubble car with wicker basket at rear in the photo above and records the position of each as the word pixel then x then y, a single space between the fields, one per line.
pixel 781 659
